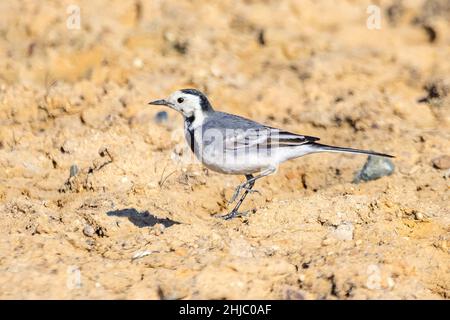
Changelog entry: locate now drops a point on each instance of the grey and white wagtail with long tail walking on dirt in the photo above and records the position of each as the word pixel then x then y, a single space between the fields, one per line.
pixel 231 144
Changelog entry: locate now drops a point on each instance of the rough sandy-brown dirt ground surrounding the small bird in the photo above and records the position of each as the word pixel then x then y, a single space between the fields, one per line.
pixel 97 202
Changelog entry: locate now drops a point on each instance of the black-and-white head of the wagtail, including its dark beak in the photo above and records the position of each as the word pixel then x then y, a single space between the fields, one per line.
pixel 189 102
